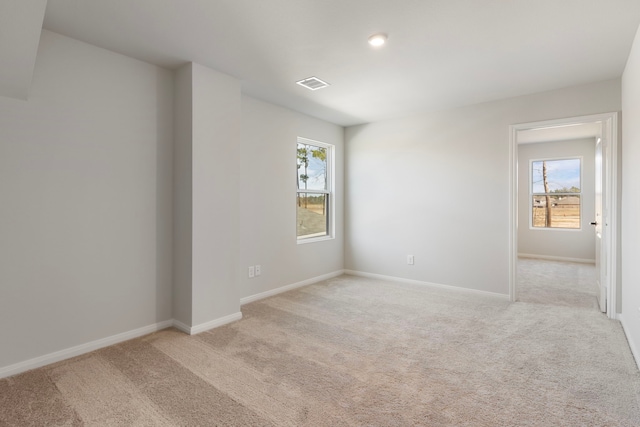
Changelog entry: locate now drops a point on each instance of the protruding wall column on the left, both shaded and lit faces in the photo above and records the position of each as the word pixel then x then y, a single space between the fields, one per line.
pixel 206 185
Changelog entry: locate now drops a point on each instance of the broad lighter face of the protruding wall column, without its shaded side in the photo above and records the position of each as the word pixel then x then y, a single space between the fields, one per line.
pixel 215 181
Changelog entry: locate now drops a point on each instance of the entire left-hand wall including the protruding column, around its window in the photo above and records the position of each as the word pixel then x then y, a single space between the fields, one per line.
pixel 88 187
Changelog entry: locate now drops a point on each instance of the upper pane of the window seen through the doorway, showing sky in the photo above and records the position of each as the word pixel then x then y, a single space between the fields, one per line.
pixel 563 176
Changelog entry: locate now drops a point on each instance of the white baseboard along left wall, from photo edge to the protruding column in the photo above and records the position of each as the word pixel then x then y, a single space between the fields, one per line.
pixel 57 356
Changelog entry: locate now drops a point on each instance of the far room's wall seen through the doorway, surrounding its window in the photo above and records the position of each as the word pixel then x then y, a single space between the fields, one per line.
pixel 561 243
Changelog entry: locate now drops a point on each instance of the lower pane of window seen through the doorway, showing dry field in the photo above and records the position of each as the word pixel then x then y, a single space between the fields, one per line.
pixel 556 211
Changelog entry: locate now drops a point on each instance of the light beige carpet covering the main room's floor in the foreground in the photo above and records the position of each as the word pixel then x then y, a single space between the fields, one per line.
pixel 351 351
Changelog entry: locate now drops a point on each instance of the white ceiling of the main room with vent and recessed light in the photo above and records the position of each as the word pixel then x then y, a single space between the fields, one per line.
pixel 440 53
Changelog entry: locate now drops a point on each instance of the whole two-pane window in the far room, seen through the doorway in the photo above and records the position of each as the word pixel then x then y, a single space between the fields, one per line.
pixel 556 193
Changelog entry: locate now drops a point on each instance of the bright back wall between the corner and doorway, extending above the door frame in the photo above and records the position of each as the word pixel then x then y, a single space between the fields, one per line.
pixel 436 185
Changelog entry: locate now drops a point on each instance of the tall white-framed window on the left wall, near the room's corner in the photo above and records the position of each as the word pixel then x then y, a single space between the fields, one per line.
pixel 314 201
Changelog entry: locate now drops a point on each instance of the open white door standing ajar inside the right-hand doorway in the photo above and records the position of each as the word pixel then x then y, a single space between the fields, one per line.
pixel 600 227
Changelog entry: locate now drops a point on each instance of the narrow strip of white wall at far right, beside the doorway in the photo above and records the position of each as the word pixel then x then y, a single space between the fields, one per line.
pixel 631 198
